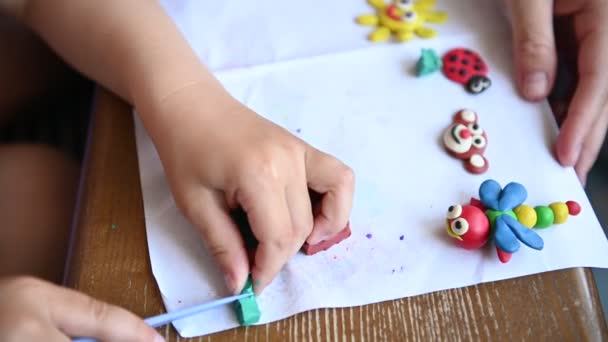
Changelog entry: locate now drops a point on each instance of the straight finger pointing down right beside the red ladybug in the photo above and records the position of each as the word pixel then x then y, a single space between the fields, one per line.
pixel 534 46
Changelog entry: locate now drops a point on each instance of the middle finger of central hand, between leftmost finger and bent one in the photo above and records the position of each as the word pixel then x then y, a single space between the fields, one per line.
pixel 270 221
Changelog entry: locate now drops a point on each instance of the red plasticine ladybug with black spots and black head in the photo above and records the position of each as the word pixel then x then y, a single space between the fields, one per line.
pixel 467 68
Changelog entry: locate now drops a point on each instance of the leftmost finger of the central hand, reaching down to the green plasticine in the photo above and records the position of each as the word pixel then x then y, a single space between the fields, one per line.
pixel 222 237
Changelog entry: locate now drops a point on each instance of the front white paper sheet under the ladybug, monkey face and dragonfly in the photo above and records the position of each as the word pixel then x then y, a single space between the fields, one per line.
pixel 365 107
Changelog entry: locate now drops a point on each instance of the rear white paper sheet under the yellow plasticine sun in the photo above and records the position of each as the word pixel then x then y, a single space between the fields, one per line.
pixel 230 34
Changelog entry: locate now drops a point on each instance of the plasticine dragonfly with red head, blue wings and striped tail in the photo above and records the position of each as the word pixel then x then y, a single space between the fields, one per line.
pixel 502 216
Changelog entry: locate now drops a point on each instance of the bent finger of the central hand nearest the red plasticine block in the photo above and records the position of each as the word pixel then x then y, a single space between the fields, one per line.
pixel 336 182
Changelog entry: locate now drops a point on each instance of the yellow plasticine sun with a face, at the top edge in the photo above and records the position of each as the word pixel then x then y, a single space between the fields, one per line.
pixel 403 19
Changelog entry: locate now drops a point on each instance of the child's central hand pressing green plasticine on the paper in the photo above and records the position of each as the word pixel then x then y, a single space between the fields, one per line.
pixel 219 155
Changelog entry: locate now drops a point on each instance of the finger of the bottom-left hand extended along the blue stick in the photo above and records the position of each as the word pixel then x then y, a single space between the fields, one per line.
pixel 78 315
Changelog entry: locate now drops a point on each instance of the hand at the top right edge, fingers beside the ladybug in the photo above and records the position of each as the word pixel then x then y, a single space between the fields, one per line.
pixel 584 128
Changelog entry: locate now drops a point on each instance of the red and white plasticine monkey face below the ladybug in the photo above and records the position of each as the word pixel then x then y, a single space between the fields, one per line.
pixel 465 140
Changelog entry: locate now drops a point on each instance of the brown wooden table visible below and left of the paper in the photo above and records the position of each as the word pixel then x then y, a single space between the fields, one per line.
pixel 110 262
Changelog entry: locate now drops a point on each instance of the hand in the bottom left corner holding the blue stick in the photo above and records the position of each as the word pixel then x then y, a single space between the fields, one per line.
pixel 35 310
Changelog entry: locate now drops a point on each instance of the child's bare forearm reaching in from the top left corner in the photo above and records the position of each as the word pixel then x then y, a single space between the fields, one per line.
pixel 131 47
